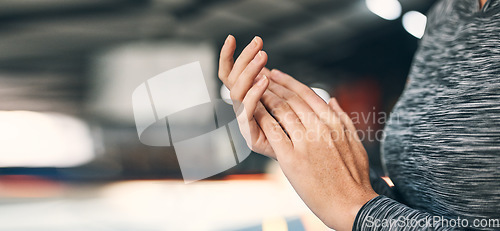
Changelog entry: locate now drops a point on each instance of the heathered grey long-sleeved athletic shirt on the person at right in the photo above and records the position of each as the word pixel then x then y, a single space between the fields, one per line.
pixel 442 143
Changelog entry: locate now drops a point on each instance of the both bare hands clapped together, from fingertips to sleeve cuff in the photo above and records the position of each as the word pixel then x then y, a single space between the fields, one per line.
pixel 315 143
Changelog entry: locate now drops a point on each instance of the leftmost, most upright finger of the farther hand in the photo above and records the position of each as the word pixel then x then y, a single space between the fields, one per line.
pixel 226 61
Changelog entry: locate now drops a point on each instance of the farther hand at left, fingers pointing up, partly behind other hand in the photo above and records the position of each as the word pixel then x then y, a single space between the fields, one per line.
pixel 247 80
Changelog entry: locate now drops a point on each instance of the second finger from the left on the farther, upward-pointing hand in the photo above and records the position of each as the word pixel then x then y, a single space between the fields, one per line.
pixel 246 56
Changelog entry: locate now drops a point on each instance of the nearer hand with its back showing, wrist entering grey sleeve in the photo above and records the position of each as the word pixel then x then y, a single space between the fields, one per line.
pixel 322 155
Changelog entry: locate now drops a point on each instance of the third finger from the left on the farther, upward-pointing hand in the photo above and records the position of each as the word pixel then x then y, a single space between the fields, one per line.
pixel 245 80
